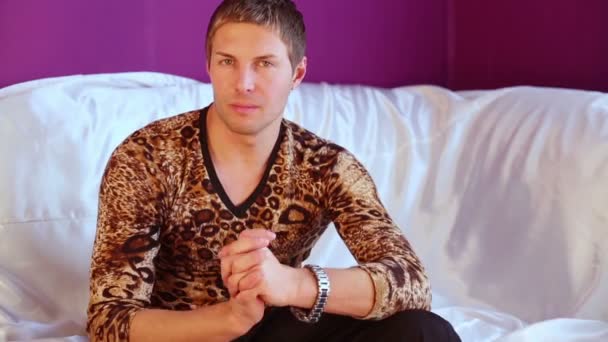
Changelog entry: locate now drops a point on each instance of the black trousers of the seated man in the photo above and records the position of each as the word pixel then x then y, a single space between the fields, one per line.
pixel 280 325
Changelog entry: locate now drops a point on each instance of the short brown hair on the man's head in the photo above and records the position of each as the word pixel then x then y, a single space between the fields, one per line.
pixel 281 16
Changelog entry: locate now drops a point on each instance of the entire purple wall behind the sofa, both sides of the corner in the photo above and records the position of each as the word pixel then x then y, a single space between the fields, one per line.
pixel 461 44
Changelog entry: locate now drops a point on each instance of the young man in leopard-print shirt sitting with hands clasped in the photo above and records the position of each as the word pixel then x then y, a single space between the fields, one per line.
pixel 205 217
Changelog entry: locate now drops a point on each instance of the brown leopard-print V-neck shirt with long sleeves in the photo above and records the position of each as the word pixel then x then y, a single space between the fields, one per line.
pixel 164 216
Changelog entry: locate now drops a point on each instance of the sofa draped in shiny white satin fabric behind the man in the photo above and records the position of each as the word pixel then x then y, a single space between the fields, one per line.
pixel 503 194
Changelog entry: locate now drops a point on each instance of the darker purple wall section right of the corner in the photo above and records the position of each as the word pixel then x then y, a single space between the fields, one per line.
pixel 561 43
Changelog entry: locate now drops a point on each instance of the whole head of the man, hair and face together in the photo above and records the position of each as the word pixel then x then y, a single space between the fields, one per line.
pixel 255 57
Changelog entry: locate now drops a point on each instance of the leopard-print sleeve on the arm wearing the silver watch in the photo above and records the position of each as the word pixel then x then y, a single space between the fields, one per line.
pixel 378 245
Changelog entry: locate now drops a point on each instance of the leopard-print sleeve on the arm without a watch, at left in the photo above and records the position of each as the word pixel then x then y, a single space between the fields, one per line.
pixel 126 242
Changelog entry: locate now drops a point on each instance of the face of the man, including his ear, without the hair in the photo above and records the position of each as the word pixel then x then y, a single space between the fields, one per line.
pixel 251 76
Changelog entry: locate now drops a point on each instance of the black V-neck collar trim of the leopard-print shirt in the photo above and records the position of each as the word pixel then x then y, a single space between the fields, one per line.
pixel 241 209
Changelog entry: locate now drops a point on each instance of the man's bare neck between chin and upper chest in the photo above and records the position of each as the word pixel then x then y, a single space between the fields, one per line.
pixel 229 148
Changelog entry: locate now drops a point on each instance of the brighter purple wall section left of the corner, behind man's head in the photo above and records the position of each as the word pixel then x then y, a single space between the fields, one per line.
pixel 383 43
